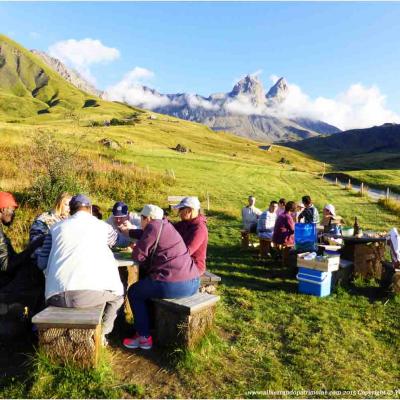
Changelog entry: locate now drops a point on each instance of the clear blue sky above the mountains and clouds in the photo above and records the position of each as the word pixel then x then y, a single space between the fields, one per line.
pixel 204 47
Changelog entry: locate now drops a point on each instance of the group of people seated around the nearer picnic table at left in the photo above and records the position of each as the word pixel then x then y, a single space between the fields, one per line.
pixel 72 246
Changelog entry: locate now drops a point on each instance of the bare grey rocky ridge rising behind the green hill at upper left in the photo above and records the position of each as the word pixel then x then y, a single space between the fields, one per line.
pixel 70 75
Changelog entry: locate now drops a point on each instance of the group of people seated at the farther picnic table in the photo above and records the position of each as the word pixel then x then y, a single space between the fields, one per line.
pixel 276 224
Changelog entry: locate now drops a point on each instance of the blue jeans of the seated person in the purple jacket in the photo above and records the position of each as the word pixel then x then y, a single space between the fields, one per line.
pixel 147 288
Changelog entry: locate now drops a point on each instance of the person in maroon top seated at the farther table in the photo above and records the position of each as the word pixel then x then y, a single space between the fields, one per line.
pixel 283 236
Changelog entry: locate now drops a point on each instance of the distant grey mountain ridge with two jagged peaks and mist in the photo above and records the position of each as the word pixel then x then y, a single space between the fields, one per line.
pixel 246 110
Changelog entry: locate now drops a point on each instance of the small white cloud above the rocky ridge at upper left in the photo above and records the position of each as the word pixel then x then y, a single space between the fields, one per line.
pixel 81 54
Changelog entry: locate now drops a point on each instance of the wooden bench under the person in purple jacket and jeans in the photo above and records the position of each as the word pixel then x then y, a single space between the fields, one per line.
pixel 183 322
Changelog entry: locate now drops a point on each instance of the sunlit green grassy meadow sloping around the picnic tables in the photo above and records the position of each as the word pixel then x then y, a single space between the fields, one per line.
pixel 266 335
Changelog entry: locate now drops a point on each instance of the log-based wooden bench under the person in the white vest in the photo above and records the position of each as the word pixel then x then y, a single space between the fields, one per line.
pixel 70 334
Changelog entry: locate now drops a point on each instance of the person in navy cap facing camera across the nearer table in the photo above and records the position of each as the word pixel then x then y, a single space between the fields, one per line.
pixel 122 217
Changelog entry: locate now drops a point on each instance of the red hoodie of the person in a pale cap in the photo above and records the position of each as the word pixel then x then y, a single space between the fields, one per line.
pixel 195 236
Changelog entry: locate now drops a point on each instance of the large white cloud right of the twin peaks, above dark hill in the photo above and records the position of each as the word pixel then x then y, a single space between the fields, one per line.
pixel 357 107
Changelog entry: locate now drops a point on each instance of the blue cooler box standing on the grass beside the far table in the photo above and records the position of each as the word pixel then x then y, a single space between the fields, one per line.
pixel 312 281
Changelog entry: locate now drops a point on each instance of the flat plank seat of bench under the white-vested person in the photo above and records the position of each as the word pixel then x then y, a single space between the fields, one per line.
pixel 64 317
